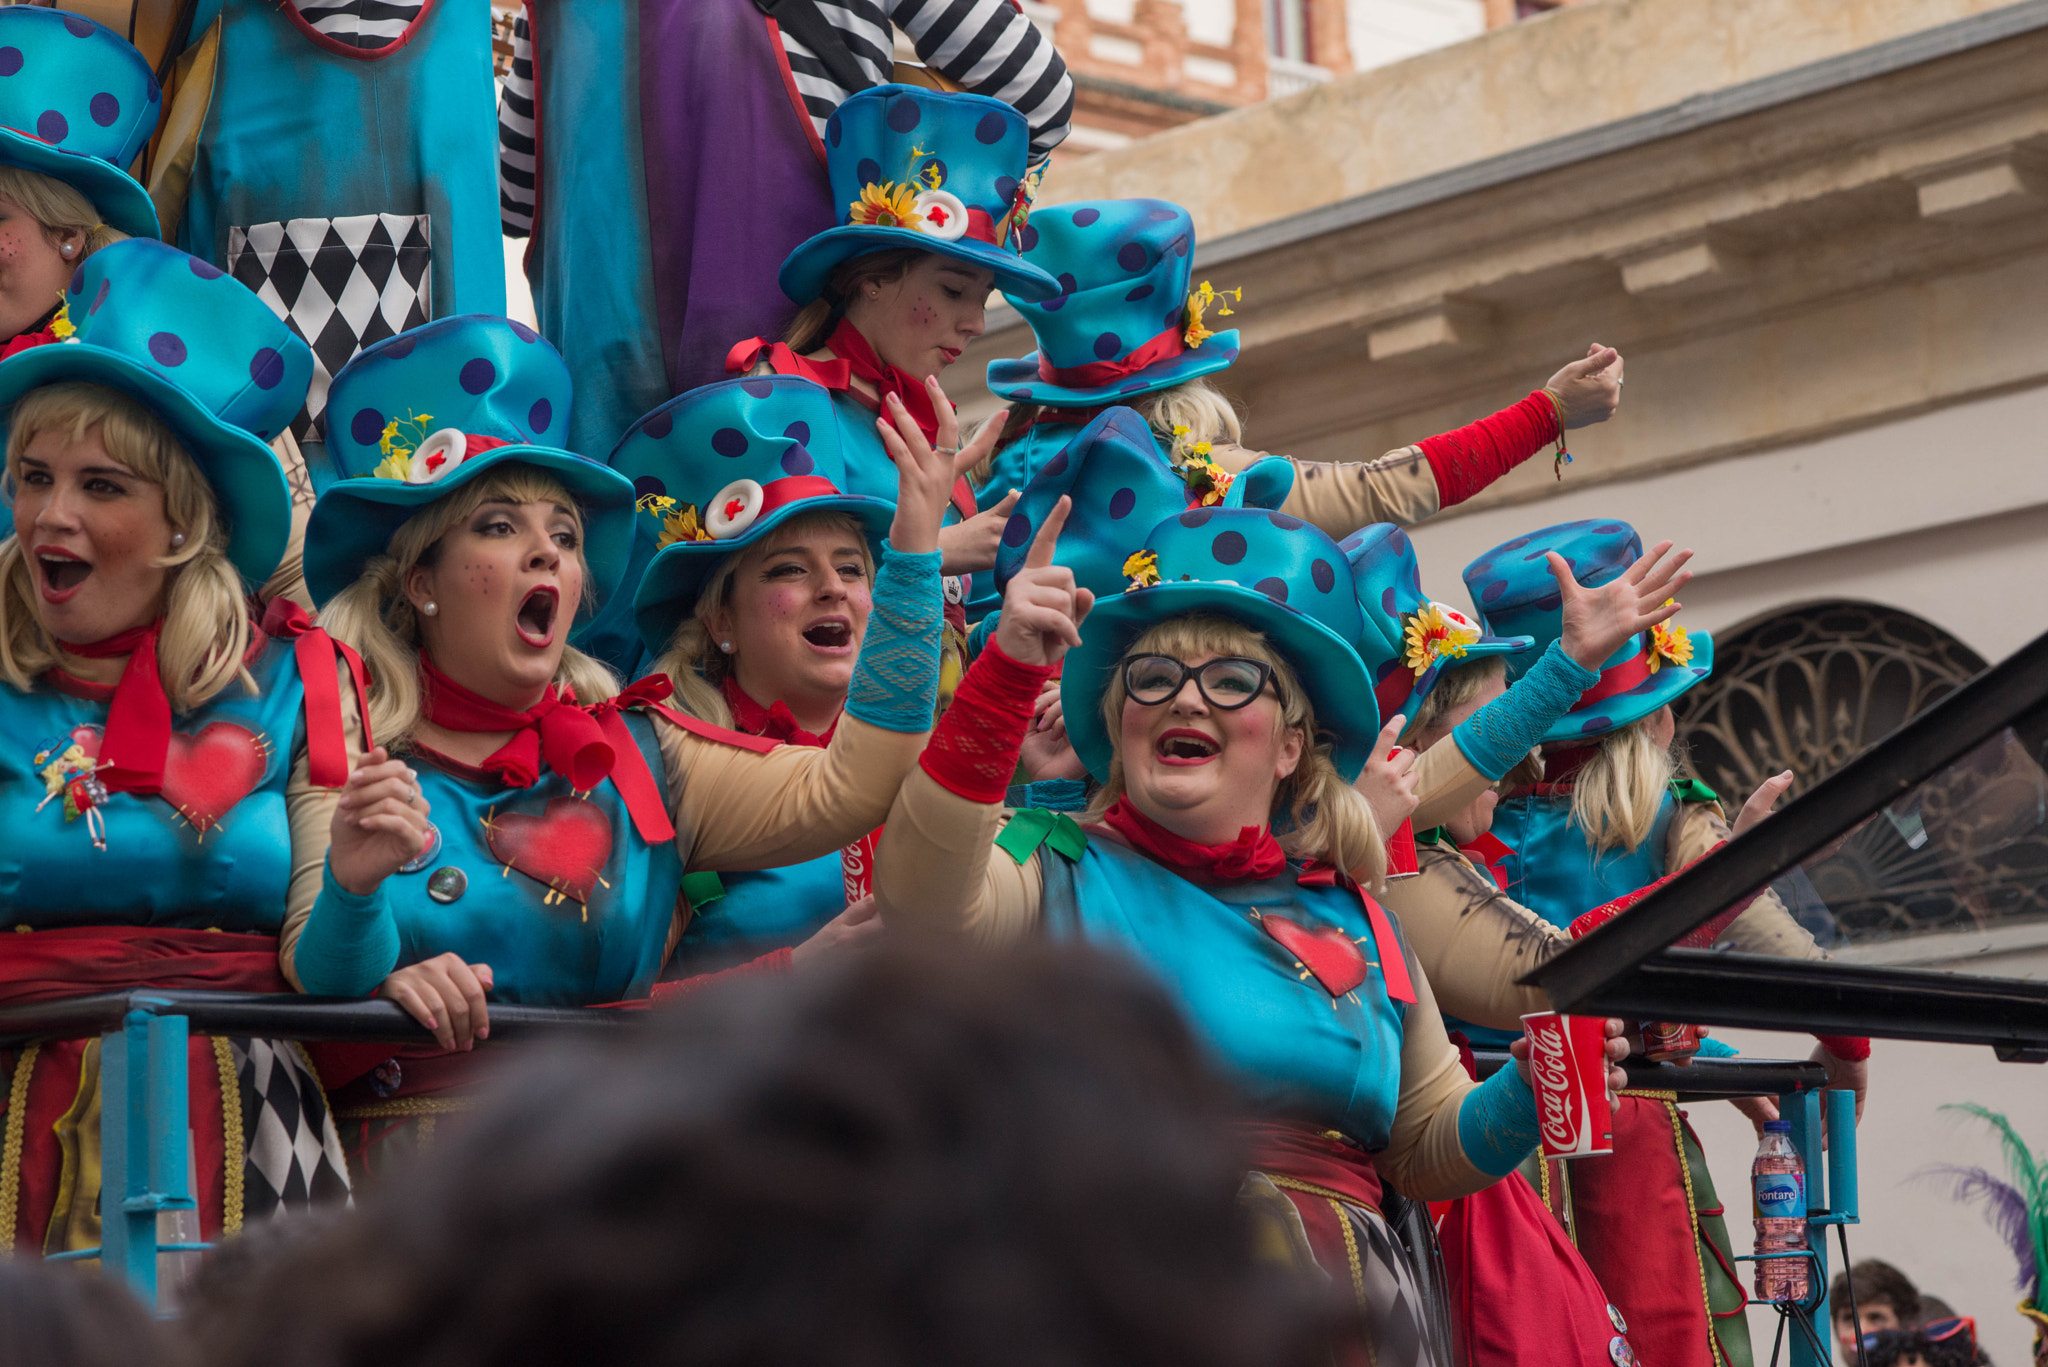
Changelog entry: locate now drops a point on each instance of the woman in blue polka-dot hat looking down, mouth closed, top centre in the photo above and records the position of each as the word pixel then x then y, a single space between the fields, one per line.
pixel 933 192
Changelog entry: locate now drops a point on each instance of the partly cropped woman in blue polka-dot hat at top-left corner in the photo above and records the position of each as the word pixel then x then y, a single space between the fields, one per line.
pixel 77 108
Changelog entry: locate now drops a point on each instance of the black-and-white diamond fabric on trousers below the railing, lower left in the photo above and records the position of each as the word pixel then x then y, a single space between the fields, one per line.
pixel 294 1151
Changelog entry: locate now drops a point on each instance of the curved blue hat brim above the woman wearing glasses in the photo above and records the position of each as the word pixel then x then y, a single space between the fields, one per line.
pixel 1330 671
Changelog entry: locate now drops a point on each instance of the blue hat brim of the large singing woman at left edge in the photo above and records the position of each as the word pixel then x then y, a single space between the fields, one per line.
pixel 249 485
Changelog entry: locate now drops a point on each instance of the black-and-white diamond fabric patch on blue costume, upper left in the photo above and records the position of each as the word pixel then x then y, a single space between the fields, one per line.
pixel 341 284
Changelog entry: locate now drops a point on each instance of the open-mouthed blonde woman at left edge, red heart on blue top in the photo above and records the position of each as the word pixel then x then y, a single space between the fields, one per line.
pixel 165 753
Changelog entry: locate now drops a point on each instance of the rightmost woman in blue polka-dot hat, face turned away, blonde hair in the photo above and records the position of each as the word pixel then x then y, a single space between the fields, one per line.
pixel 1603 817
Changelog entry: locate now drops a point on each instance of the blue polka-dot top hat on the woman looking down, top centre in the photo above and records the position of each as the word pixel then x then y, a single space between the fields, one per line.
pixel 925 169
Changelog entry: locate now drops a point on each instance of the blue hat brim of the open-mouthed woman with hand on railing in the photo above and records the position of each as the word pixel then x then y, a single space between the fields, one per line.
pixel 355 520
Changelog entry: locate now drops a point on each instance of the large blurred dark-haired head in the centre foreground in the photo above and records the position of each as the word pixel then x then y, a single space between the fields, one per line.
pixel 1009 1161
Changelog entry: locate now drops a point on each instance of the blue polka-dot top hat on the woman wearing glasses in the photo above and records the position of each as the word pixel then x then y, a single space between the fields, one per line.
pixel 1265 571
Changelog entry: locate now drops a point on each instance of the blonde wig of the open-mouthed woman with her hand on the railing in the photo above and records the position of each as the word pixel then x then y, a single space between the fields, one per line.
pixel 380 622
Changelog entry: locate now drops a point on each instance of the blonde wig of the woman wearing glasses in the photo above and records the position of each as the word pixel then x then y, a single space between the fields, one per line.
pixel 1316 813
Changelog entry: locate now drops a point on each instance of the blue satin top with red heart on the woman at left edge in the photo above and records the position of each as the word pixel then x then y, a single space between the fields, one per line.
pixel 224 862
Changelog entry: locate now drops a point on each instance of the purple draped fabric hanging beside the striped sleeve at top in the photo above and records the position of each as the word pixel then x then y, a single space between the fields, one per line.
pixel 732 179
